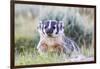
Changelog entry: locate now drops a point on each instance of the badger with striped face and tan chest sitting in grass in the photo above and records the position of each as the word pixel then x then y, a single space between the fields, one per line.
pixel 53 39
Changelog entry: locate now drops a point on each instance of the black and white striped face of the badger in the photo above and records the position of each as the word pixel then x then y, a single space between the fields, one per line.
pixel 51 28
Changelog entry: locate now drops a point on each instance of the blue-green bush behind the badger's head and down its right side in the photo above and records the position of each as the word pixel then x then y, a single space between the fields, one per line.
pixel 74 26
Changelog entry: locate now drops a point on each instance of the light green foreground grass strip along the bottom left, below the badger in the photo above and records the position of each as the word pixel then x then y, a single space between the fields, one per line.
pixel 30 58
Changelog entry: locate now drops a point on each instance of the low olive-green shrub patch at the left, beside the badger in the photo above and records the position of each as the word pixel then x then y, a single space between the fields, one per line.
pixel 24 43
